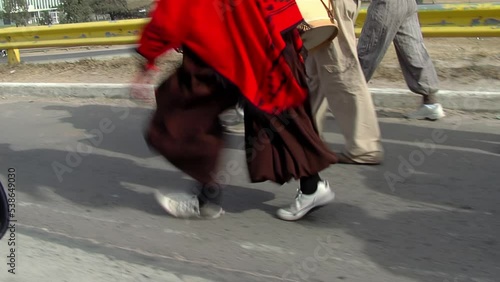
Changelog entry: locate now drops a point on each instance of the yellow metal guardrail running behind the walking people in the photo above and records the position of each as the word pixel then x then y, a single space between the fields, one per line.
pixel 451 20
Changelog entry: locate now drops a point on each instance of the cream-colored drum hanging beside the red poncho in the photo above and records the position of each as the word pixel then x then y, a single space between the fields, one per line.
pixel 321 25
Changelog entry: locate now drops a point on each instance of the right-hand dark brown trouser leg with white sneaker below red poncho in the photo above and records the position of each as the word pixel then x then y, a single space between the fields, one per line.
pixel 285 147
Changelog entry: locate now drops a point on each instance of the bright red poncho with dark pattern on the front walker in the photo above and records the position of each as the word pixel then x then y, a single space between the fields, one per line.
pixel 240 39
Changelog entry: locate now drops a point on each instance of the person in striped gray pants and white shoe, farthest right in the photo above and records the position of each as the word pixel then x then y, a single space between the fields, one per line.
pixel 397 22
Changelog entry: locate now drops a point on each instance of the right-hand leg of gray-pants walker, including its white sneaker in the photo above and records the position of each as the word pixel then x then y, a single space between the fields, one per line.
pixel 416 64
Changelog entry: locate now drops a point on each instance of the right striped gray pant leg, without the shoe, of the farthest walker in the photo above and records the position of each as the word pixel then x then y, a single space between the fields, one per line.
pixel 416 64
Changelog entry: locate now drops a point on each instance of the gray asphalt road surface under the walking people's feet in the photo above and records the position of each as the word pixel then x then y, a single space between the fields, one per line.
pixel 85 208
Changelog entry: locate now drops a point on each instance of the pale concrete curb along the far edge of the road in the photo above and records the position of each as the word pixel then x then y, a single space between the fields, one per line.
pixel 383 97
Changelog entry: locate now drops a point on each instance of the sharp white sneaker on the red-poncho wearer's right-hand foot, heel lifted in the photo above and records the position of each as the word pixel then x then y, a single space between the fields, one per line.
pixel 305 203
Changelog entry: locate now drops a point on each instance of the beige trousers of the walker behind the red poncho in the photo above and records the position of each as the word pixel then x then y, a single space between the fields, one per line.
pixel 336 79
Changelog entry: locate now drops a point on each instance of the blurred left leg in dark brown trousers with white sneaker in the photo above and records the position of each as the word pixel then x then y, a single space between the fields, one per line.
pixel 185 129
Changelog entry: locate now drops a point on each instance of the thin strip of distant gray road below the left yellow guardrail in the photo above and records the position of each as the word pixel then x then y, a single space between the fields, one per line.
pixel 71 55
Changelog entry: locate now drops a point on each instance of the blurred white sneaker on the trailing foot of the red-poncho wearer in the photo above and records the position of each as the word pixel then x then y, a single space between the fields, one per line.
pixel 188 207
